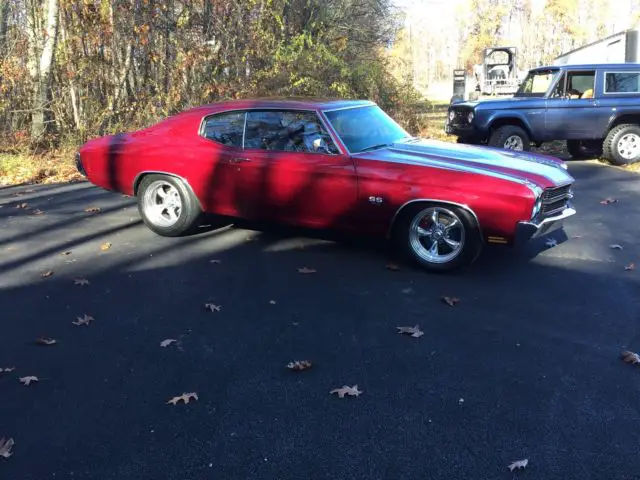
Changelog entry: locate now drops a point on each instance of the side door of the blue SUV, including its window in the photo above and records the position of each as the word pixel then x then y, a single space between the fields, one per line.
pixel 570 110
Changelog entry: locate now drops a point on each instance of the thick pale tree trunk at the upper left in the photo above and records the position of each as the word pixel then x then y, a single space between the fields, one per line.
pixel 41 116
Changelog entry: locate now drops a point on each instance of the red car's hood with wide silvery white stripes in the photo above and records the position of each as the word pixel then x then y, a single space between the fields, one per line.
pixel 520 167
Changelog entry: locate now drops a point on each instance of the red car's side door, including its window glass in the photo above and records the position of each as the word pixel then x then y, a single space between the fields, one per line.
pixel 304 178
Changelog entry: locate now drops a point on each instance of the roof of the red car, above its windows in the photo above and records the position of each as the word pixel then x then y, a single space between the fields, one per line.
pixel 296 103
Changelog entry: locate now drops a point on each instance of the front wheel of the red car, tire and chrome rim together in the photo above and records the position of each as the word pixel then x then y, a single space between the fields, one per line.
pixel 438 238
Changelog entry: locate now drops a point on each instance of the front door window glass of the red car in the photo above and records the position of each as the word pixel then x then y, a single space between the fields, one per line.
pixel 287 131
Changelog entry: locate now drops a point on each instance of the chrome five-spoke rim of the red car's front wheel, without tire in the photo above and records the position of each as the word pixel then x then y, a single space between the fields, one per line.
pixel 436 235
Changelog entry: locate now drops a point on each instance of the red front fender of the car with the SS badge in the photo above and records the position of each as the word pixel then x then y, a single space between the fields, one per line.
pixel 499 204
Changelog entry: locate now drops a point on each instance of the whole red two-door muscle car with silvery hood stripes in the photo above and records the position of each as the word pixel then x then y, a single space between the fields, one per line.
pixel 333 164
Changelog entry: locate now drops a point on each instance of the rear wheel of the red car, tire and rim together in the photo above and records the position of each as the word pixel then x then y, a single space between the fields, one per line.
pixel 167 206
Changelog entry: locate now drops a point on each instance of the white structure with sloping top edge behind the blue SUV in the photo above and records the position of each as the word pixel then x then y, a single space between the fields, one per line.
pixel 622 47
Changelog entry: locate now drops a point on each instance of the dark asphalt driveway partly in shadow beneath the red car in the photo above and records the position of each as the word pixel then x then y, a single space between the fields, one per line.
pixel 525 366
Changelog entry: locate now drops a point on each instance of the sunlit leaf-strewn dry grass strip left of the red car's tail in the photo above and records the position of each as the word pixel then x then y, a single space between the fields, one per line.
pixel 55 166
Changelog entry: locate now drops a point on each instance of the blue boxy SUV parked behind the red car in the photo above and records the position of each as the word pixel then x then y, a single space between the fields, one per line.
pixel 595 108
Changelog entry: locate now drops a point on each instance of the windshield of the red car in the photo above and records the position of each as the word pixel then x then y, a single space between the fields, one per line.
pixel 365 128
